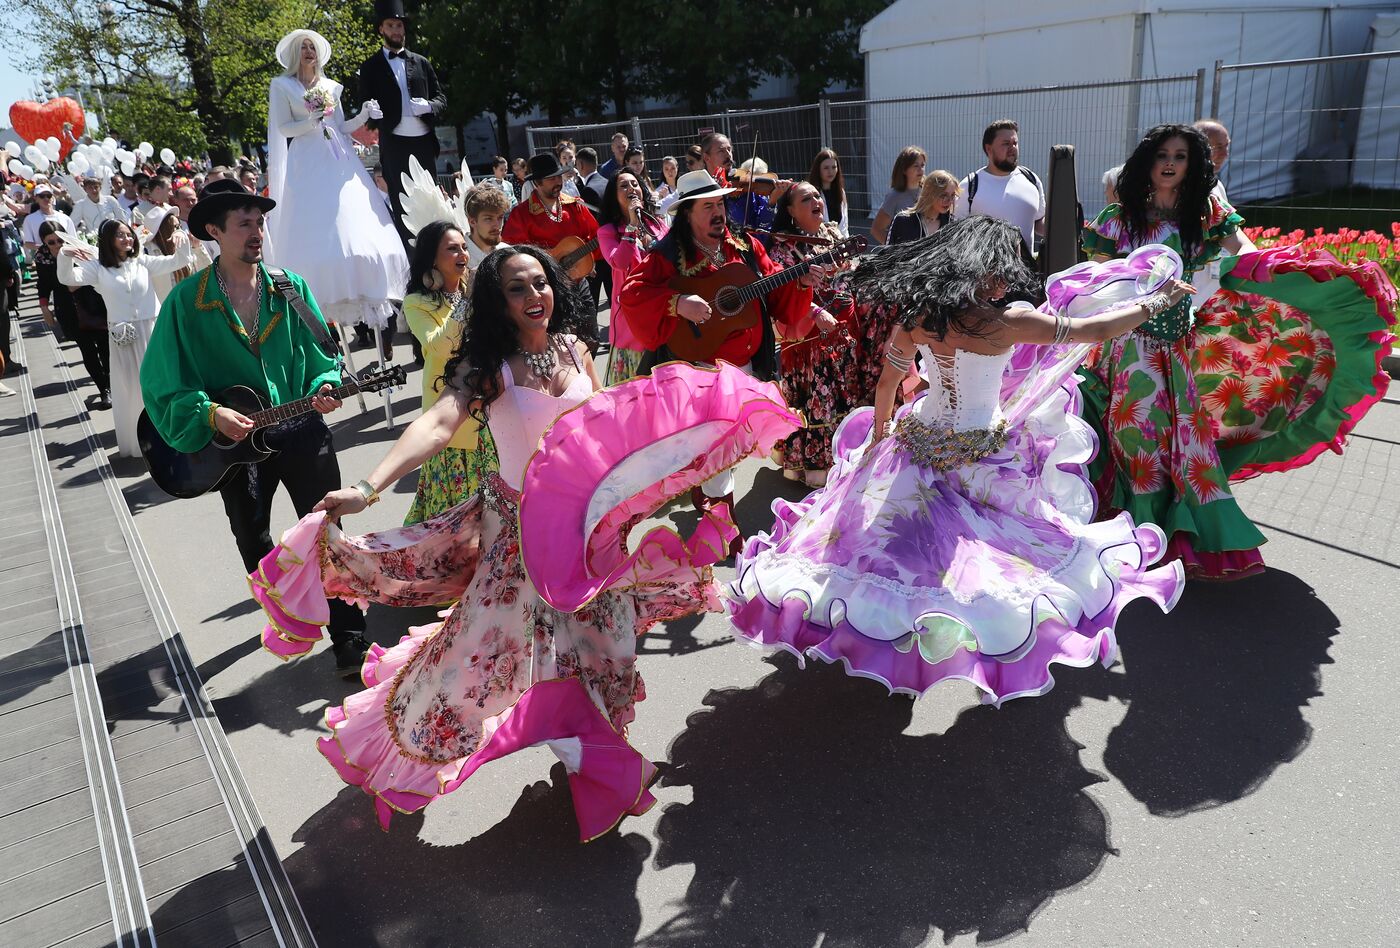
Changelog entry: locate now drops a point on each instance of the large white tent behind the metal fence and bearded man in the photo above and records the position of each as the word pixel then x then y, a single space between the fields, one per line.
pixel 922 48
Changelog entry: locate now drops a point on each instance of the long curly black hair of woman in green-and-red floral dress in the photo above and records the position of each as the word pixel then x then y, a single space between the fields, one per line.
pixel 1193 197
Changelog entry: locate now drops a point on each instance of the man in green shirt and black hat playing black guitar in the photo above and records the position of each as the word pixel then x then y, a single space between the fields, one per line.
pixel 226 326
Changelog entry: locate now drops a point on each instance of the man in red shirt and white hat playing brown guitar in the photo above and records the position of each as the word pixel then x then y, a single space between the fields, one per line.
pixel 701 243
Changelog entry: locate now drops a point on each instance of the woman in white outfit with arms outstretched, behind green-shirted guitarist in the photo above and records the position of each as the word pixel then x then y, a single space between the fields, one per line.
pixel 122 275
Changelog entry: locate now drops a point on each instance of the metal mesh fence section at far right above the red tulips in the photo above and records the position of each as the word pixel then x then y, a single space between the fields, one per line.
pixel 1315 142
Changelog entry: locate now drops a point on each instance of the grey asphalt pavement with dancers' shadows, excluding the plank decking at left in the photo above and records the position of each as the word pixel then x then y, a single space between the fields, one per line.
pixel 1231 782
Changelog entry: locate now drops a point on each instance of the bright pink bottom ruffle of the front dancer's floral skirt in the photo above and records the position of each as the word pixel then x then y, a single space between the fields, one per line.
pixel 608 778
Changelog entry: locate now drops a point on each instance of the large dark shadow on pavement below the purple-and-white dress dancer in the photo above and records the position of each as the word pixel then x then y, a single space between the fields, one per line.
pixel 817 821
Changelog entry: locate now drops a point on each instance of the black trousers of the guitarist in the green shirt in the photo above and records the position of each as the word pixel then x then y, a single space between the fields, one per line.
pixel 306 466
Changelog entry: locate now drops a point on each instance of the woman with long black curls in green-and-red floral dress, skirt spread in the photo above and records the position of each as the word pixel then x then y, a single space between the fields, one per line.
pixel 1263 376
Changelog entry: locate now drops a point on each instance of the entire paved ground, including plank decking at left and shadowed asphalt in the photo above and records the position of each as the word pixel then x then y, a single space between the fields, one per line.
pixel 1230 783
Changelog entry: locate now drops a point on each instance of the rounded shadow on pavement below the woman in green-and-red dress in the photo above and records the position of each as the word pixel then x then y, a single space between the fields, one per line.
pixel 1216 691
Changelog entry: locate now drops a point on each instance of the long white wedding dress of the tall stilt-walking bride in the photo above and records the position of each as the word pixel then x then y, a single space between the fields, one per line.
pixel 331 225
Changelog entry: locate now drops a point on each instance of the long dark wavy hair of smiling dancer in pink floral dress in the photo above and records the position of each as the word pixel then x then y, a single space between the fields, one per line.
pixel 491 335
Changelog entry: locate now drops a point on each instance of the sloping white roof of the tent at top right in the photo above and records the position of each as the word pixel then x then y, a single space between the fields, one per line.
pixel 913 23
